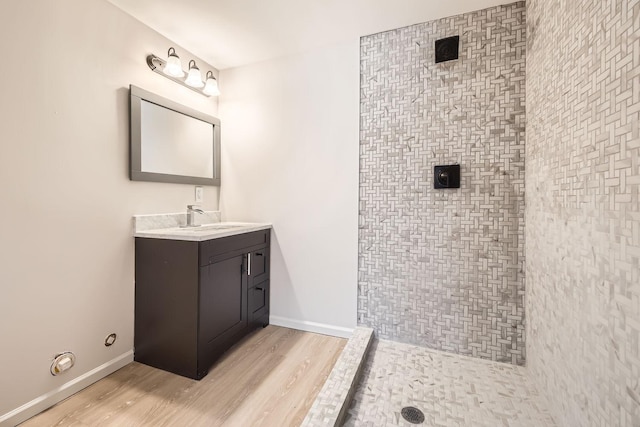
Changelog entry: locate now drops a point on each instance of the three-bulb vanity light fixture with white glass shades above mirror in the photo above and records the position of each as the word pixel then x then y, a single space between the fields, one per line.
pixel 172 69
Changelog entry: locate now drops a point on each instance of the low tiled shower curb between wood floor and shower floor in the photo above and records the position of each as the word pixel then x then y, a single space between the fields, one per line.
pixel 332 403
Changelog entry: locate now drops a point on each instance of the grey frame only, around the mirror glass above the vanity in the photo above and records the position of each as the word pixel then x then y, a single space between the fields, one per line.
pixel 136 96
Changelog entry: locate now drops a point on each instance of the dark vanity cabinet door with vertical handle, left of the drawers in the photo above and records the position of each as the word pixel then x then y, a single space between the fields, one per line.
pixel 223 299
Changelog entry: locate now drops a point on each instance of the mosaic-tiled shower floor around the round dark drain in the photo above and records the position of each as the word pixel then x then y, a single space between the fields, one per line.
pixel 451 390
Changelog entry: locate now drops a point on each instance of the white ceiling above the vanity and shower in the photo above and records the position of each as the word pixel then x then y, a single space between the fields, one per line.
pixel 231 33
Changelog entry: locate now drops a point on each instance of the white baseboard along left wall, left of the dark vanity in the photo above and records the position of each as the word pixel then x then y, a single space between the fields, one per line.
pixel 49 399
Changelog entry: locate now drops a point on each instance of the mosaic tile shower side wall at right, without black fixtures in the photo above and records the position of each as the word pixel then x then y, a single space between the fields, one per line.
pixel 583 208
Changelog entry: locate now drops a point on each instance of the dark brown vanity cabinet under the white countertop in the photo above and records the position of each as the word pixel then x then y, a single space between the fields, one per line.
pixel 194 300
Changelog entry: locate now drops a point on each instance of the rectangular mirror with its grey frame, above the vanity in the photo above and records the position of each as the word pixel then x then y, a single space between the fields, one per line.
pixel 171 142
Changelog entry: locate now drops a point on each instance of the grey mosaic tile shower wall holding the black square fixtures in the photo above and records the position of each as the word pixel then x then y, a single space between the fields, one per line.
pixel 444 268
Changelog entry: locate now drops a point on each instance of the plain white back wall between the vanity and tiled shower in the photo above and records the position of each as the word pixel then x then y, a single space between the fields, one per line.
pixel 290 156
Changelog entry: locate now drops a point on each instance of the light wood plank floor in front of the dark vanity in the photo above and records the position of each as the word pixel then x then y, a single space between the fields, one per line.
pixel 270 378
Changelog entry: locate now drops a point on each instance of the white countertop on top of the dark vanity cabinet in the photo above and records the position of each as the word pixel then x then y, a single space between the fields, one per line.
pixel 203 232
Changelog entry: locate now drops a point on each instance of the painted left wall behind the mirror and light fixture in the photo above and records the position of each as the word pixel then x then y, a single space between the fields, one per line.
pixel 66 251
